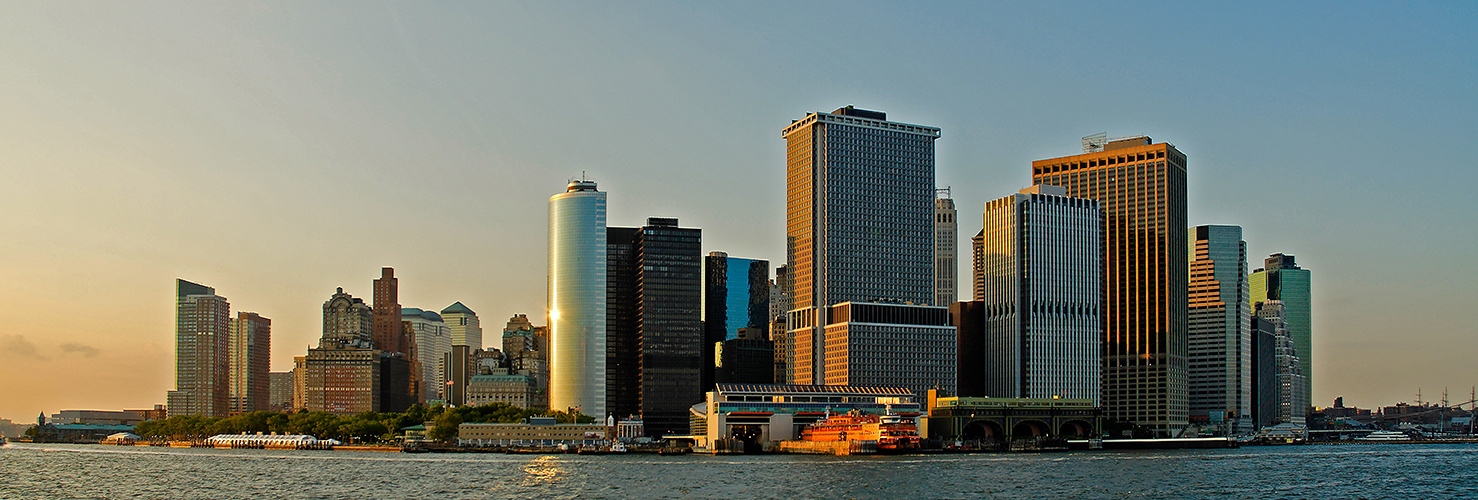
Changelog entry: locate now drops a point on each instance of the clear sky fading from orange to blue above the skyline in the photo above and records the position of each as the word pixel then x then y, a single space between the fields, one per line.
pixel 277 152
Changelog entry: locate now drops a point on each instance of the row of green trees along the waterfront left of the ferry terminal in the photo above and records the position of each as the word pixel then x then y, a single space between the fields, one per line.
pixel 367 427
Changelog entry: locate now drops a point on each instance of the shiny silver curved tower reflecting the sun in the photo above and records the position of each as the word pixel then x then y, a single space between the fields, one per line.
pixel 577 300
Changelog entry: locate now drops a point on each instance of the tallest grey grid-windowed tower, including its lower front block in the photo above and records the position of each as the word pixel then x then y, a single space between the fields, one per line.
pixel 861 232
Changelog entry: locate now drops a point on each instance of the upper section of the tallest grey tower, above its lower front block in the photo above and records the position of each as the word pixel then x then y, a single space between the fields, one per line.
pixel 859 189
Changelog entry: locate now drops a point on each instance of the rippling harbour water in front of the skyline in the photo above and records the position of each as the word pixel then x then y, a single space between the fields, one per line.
pixel 1358 471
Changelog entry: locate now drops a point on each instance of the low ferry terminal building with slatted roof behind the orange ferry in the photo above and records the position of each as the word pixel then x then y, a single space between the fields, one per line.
pixel 765 415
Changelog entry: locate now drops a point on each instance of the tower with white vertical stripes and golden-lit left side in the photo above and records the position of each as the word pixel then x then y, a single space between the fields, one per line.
pixel 1041 282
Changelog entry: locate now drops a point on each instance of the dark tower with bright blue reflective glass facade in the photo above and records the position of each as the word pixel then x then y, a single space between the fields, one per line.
pixel 737 297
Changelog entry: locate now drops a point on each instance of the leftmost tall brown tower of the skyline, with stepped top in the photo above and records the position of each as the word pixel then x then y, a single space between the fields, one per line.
pixel 202 353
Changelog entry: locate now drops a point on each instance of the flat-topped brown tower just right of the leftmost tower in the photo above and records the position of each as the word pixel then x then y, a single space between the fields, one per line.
pixel 251 360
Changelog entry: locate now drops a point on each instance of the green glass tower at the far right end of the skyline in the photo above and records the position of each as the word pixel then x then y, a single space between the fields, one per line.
pixel 1281 279
